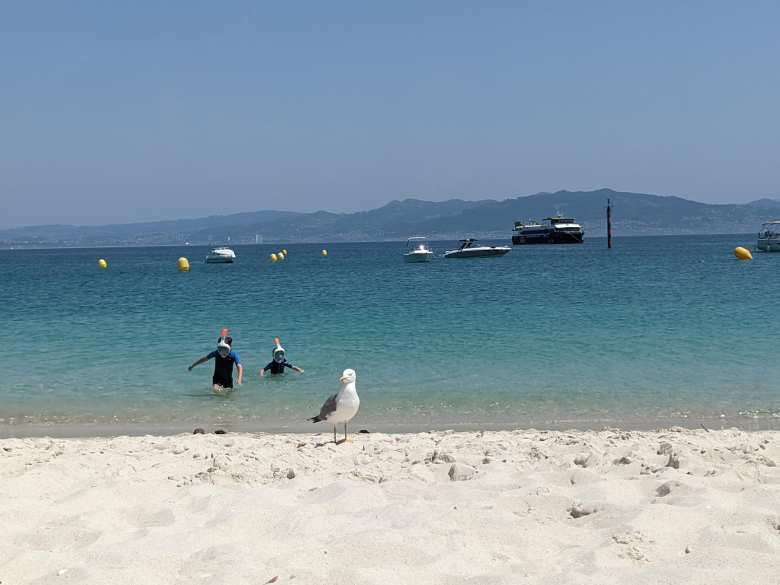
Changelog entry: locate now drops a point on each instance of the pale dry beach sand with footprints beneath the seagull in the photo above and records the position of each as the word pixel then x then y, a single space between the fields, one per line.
pixel 676 506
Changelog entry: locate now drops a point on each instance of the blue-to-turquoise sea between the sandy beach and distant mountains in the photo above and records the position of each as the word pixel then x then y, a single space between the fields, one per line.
pixel 661 330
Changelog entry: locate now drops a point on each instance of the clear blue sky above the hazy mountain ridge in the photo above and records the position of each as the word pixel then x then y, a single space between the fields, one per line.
pixel 125 111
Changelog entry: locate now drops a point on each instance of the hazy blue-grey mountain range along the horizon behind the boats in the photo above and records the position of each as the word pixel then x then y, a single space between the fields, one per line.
pixel 633 214
